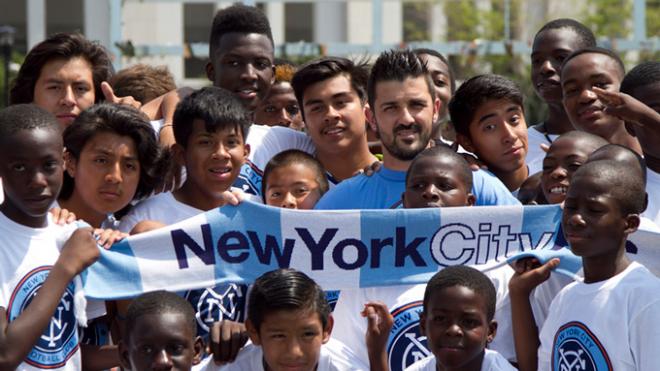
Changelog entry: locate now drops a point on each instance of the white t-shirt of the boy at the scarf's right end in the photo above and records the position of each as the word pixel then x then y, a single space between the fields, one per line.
pixel 608 325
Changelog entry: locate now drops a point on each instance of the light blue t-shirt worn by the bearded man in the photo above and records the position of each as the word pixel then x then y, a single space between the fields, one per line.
pixel 383 190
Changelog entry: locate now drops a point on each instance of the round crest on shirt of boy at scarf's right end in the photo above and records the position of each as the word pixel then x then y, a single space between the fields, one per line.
pixel 576 348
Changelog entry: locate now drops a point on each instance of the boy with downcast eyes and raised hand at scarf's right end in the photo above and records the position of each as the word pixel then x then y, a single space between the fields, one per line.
pixel 602 208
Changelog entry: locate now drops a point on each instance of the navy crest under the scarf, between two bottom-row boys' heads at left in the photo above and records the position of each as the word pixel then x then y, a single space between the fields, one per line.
pixel 217 303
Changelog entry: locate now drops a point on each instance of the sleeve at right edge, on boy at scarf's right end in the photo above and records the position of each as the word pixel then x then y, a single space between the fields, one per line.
pixel 645 337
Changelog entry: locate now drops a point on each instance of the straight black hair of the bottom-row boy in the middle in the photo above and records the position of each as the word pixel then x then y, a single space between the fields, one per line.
pixel 285 289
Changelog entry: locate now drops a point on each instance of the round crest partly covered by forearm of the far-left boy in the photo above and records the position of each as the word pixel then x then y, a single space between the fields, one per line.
pixel 59 341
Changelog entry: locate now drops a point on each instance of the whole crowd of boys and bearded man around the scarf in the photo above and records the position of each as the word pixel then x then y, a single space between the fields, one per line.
pixel 130 166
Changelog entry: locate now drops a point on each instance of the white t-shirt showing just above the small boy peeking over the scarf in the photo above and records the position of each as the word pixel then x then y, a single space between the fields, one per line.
pixel 265 142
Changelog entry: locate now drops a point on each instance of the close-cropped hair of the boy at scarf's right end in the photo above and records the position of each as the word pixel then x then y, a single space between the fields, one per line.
pixel 624 183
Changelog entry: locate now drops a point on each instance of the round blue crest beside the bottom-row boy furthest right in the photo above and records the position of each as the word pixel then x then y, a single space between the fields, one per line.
pixel 405 345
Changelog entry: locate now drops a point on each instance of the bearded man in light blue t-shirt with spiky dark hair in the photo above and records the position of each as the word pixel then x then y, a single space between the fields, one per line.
pixel 402 110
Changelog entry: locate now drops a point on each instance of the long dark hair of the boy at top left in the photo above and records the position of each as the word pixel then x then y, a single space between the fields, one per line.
pixel 60 46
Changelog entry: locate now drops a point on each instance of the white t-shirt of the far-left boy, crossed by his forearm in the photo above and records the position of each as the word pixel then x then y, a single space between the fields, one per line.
pixel 27 256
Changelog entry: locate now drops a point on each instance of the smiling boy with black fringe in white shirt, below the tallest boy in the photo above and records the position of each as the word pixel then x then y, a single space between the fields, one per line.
pixel 210 127
